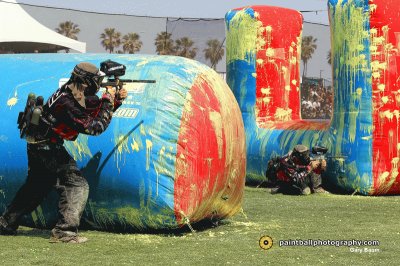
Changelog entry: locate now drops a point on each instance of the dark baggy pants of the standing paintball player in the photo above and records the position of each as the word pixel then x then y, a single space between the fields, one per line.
pixel 50 166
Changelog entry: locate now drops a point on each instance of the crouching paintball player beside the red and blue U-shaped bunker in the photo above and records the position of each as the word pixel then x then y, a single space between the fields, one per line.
pixel 297 172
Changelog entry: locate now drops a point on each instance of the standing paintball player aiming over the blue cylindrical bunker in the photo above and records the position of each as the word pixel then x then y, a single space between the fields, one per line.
pixel 72 109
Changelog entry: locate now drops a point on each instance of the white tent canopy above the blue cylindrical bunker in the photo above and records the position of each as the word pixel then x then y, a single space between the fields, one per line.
pixel 20 32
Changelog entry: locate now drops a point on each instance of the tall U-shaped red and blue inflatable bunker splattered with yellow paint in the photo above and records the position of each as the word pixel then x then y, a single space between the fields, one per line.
pixel 263 56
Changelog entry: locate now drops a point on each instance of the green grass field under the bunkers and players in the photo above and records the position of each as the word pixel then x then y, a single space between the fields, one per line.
pixel 236 240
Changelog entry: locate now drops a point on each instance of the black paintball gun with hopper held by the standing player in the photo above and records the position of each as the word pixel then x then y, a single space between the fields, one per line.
pixel 114 71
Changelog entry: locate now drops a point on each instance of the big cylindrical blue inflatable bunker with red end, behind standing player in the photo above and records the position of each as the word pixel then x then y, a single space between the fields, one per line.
pixel 173 154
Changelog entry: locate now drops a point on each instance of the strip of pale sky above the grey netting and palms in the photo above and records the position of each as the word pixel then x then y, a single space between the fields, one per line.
pixel 185 8
